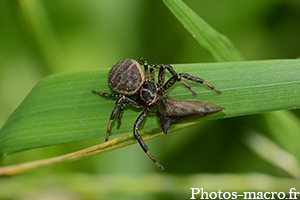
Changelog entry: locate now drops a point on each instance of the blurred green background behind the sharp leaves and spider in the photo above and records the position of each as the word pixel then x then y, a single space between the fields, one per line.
pixel 40 38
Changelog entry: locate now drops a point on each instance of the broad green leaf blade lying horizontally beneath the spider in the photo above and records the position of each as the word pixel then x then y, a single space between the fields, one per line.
pixel 62 108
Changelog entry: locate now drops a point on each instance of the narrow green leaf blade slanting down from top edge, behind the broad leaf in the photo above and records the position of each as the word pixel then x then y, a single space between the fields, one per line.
pixel 217 45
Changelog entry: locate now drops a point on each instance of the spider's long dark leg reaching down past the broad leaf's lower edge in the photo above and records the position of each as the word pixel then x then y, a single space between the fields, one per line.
pixel 137 124
